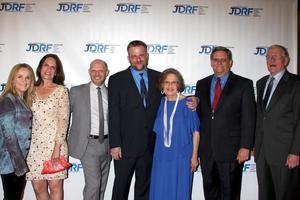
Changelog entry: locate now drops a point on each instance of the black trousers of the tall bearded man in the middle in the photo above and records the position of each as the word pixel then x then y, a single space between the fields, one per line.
pixel 124 169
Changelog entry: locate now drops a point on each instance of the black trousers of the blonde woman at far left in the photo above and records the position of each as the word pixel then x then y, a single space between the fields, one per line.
pixel 13 186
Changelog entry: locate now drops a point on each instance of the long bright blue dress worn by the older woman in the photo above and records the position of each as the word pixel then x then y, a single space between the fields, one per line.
pixel 171 176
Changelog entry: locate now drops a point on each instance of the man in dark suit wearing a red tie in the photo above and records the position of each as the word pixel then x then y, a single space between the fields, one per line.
pixel 227 112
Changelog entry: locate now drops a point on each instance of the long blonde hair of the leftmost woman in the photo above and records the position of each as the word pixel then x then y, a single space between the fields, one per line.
pixel 10 86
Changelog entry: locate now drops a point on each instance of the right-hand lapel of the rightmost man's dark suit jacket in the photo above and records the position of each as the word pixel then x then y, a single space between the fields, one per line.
pixel 280 89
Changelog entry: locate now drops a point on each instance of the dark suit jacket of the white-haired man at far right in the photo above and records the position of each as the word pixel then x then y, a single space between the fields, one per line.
pixel 278 128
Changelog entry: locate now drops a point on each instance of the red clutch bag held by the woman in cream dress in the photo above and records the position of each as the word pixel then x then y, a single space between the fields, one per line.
pixel 50 167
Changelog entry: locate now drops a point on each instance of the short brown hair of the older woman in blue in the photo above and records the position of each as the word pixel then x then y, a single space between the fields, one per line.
pixel 165 73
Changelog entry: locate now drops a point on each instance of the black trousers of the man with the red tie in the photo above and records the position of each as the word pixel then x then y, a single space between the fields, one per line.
pixel 221 180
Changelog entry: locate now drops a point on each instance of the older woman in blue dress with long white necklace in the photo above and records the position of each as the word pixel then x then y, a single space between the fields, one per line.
pixel 177 139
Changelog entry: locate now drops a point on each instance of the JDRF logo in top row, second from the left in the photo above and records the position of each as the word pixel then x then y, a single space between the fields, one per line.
pixel 73 7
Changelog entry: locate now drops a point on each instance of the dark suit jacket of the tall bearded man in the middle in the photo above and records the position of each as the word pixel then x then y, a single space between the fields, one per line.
pixel 130 123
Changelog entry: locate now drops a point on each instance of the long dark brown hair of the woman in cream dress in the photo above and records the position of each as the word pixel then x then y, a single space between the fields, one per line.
pixel 59 78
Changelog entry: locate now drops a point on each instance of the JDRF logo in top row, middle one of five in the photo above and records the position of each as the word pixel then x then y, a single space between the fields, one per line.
pixel 132 8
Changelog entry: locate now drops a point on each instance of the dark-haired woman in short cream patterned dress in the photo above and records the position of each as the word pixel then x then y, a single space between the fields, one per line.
pixel 49 128
